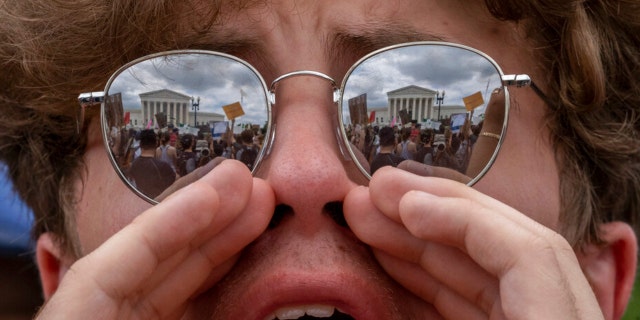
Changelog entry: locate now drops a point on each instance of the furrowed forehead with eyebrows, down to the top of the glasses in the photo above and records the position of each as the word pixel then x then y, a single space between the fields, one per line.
pixel 281 36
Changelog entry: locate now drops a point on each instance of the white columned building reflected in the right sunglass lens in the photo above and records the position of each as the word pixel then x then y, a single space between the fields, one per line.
pixel 419 102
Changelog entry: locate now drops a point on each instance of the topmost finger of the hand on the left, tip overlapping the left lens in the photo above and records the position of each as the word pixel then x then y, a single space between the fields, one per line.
pixel 130 258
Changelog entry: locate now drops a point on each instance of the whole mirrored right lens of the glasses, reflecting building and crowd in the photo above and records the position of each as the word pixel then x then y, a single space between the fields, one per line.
pixel 432 109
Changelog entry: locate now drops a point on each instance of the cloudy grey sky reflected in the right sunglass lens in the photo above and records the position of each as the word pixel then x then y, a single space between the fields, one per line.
pixel 457 71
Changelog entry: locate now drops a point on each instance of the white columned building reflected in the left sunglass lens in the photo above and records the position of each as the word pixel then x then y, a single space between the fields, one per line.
pixel 175 105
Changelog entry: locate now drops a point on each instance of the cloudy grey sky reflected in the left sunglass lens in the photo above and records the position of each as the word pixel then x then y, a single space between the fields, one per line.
pixel 217 80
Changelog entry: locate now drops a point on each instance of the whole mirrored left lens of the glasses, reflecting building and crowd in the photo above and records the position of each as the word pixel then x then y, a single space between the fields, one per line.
pixel 165 116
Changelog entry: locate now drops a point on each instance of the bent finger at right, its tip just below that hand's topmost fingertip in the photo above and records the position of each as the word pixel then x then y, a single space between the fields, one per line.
pixel 532 262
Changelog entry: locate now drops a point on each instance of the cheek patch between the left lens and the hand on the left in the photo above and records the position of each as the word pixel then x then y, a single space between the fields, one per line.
pixel 106 205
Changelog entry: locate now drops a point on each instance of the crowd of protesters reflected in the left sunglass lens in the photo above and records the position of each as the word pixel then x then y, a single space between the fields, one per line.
pixel 153 160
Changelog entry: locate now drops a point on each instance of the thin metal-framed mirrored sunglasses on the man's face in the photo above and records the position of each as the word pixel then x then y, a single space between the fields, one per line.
pixel 433 108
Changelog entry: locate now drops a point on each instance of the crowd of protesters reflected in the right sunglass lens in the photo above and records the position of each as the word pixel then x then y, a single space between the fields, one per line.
pixel 392 145
